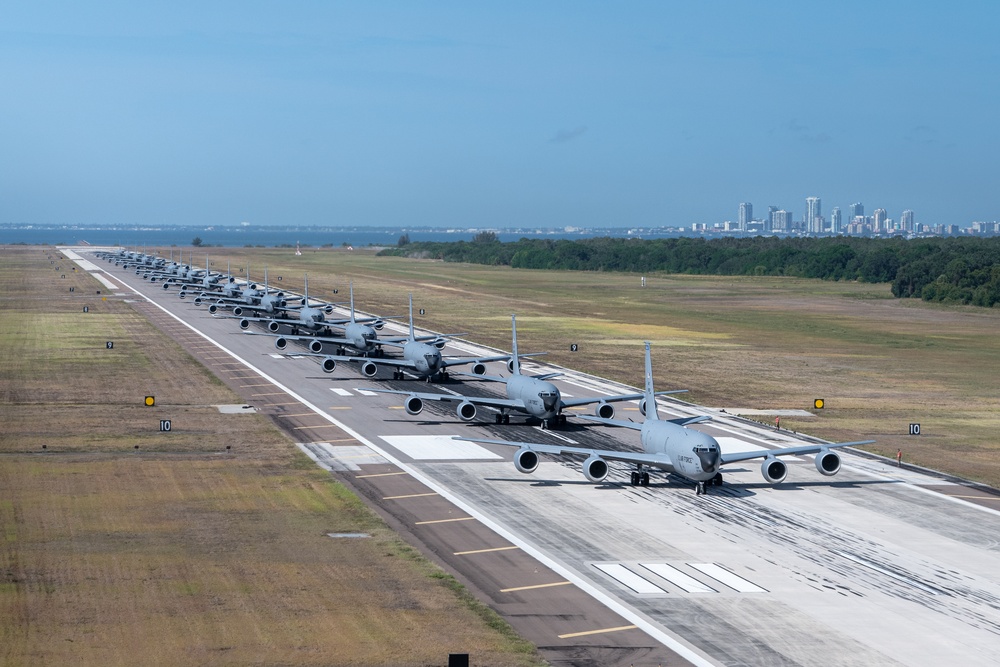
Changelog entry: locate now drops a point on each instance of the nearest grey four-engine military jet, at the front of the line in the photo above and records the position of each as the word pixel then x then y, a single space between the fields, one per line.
pixel 669 446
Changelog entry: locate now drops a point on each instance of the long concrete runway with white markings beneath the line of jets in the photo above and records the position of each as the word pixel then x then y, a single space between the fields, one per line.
pixel 878 565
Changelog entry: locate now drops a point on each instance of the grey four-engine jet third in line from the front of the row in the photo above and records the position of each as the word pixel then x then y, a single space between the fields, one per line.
pixel 421 358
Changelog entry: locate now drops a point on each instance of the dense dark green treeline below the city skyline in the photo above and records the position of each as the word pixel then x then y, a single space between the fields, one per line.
pixel 956 270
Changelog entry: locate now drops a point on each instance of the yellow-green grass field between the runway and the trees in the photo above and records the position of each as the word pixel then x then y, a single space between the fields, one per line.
pixel 765 343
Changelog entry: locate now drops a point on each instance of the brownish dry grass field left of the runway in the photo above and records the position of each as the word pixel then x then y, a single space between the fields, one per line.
pixel 181 553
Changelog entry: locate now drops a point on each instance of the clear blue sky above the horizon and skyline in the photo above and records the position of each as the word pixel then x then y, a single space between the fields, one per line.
pixel 464 114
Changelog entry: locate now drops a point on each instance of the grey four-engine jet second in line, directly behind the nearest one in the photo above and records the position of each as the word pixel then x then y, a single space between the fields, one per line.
pixel 530 394
